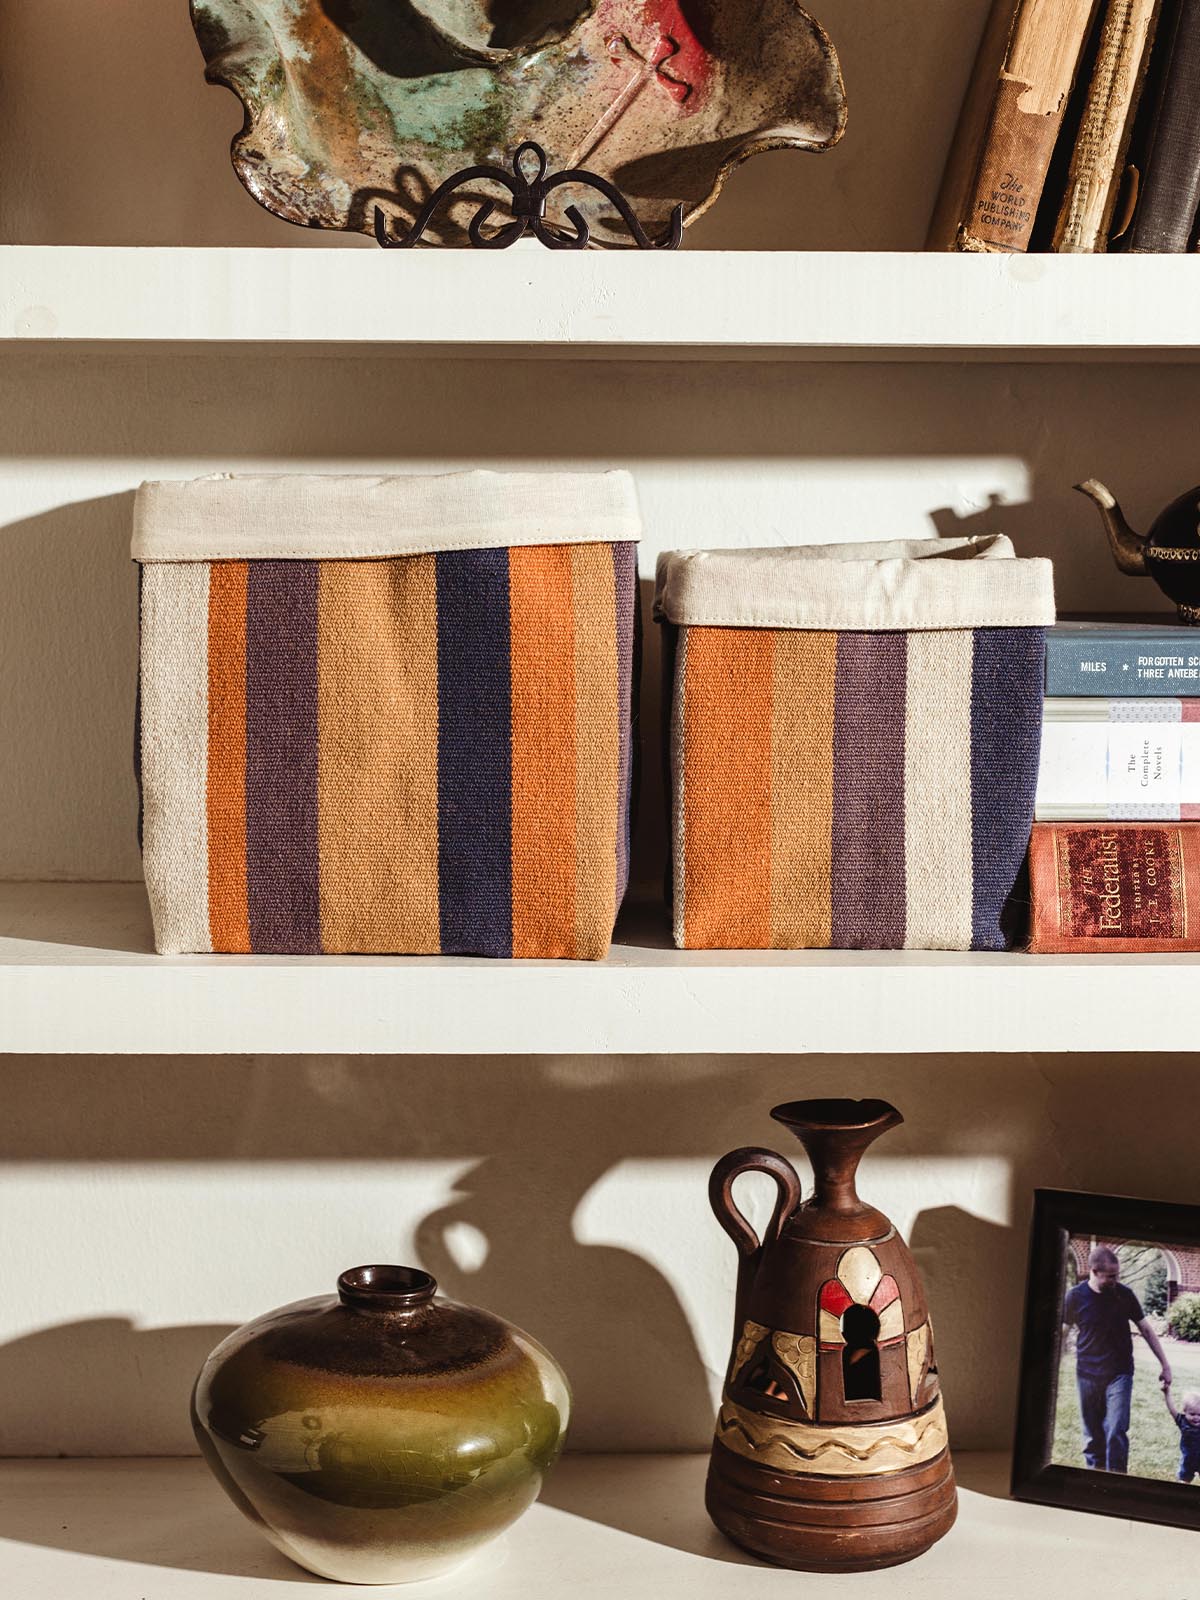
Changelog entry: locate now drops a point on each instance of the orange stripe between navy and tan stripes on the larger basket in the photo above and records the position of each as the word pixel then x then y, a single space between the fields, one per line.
pixel 543 751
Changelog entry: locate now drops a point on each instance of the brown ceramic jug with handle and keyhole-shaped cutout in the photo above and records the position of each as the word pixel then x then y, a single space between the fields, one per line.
pixel 831 1449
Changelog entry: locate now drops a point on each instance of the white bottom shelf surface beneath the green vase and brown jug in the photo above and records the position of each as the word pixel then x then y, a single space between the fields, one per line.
pixel 607 1526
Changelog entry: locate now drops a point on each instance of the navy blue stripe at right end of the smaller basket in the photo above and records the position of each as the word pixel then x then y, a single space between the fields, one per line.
pixel 1007 678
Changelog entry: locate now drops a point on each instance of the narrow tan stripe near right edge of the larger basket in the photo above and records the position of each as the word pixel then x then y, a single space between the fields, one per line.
pixel 596 748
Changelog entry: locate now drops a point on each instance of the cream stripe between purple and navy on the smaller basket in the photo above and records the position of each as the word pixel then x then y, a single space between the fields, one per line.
pixel 938 791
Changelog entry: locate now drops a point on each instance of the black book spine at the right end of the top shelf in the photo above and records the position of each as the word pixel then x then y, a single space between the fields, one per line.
pixel 1170 190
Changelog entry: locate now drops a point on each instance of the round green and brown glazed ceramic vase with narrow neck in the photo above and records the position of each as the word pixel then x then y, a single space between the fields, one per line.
pixel 380 1436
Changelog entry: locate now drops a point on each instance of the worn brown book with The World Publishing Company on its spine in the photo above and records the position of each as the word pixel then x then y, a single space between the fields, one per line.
pixel 1009 126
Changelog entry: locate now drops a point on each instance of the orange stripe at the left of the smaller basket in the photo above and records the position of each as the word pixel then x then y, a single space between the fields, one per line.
pixel 727 798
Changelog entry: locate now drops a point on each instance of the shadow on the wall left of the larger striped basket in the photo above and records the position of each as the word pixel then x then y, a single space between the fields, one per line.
pixel 68 666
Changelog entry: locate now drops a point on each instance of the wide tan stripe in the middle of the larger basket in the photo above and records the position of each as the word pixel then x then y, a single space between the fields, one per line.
pixel 377 665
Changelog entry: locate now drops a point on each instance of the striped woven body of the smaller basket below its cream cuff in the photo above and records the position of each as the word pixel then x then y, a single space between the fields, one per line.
pixel 852 790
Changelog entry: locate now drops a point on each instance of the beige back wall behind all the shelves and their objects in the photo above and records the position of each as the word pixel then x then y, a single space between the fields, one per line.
pixel 151 1204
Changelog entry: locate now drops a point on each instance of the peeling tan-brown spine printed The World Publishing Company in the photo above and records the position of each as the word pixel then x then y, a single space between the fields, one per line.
pixel 1028 102
